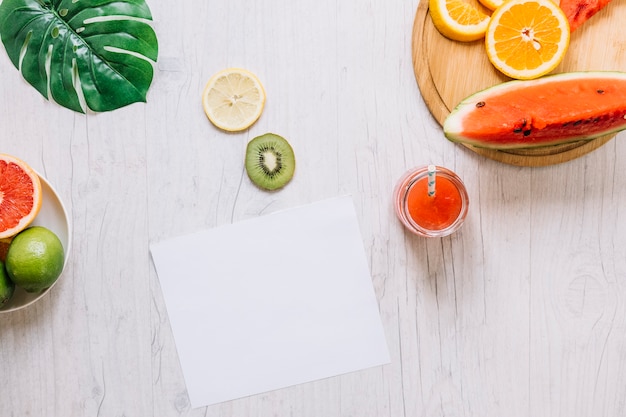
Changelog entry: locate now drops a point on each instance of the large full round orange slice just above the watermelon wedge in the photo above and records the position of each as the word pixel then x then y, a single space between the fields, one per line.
pixel 526 39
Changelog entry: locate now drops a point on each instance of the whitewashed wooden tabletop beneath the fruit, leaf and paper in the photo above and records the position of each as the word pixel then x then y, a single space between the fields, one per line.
pixel 521 313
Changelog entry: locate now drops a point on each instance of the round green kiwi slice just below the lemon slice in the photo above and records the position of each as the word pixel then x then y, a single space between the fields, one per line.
pixel 270 161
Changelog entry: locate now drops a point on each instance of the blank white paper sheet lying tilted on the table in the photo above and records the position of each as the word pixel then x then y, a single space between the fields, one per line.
pixel 271 302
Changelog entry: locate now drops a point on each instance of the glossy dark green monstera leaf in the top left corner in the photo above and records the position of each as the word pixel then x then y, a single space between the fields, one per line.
pixel 82 54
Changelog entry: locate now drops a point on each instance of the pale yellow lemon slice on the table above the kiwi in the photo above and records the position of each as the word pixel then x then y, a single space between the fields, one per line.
pixel 233 99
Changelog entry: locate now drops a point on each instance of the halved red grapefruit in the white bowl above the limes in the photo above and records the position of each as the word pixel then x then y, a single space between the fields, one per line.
pixel 20 195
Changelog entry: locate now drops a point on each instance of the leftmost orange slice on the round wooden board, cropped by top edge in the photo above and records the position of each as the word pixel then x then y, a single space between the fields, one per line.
pixel 458 20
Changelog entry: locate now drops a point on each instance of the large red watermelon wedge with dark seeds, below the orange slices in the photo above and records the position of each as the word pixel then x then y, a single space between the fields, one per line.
pixel 545 111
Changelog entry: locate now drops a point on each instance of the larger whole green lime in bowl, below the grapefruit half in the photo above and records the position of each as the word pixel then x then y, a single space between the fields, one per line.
pixel 35 259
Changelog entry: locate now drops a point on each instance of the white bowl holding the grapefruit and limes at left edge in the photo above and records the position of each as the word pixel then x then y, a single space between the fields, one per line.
pixel 53 216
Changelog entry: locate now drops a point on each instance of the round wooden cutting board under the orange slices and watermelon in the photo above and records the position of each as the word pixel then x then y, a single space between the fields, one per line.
pixel 448 71
